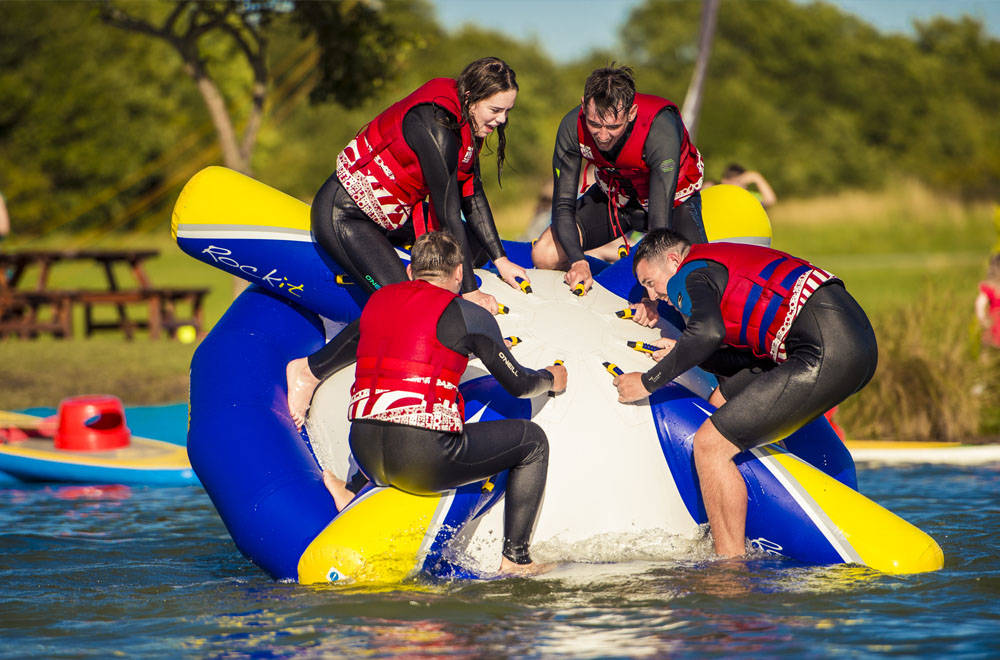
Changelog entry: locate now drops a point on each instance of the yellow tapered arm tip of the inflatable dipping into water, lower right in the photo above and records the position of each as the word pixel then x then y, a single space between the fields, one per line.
pixel 882 540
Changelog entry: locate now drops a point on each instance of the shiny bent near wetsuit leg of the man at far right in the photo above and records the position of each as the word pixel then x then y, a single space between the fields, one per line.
pixel 832 353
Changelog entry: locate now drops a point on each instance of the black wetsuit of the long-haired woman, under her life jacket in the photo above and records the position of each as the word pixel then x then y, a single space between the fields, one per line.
pixel 366 250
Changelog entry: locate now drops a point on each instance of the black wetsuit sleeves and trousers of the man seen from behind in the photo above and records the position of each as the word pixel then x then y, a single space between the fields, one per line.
pixel 423 461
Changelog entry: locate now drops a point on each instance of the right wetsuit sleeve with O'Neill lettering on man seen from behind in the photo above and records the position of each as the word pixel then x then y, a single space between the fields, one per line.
pixel 465 327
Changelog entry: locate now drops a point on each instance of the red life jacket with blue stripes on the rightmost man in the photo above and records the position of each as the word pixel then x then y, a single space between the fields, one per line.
pixel 765 293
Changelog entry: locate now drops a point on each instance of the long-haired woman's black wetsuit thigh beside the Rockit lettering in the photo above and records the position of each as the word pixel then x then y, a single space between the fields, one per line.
pixel 353 239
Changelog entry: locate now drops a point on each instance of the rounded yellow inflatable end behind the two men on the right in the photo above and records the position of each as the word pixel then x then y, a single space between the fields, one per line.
pixel 734 215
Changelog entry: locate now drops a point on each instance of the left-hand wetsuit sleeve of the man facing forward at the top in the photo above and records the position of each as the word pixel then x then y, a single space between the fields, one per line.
pixel 565 178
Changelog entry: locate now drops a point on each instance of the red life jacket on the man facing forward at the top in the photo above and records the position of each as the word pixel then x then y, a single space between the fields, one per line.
pixel 630 167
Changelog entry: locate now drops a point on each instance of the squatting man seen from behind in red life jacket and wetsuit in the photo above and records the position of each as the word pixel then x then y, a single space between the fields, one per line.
pixel 412 344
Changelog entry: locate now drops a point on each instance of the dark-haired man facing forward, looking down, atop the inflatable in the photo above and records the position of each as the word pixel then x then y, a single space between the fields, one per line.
pixel 648 175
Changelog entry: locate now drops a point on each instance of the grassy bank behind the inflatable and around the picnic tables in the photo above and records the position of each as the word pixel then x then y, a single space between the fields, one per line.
pixel 911 259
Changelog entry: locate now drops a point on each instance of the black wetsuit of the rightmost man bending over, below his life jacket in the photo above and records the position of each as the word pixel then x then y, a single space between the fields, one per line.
pixel 831 348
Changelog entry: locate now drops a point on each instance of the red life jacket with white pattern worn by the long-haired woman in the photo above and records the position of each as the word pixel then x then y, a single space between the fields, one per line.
pixel 381 172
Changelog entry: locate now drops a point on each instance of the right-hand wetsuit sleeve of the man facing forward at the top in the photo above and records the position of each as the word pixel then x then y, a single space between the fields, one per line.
pixel 662 153
